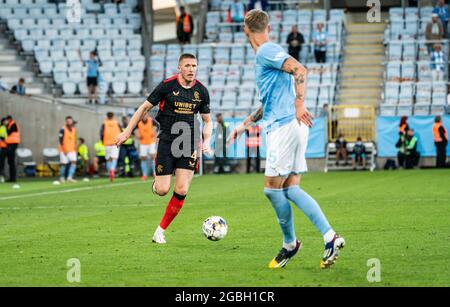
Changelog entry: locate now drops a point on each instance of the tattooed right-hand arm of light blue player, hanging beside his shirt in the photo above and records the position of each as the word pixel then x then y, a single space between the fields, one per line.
pixel 293 67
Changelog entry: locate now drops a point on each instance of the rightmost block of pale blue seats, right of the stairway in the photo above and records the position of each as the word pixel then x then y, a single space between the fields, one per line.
pixel 409 88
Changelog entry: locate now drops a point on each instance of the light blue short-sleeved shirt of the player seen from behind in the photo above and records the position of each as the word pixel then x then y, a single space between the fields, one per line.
pixel 276 87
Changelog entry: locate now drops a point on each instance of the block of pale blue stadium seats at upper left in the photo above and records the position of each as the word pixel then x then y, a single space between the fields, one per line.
pixel 48 31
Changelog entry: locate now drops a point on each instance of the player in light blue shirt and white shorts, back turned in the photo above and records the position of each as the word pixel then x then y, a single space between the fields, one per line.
pixel 281 82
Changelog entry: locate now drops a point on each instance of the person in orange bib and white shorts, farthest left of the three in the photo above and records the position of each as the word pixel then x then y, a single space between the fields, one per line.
pixel 68 150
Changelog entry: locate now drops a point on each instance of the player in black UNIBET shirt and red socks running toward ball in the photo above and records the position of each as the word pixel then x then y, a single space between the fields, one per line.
pixel 180 98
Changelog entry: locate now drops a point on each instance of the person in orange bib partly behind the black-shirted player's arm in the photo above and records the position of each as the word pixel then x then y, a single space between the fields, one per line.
pixel 147 145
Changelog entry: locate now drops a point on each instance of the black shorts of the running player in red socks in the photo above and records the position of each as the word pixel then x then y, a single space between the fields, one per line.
pixel 166 163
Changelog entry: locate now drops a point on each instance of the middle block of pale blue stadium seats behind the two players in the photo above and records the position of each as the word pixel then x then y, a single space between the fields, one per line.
pixel 226 59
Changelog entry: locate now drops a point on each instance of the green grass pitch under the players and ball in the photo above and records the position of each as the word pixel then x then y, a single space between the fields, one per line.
pixel 401 218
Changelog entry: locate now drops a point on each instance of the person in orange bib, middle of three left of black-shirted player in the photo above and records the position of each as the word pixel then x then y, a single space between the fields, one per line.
pixel 109 131
